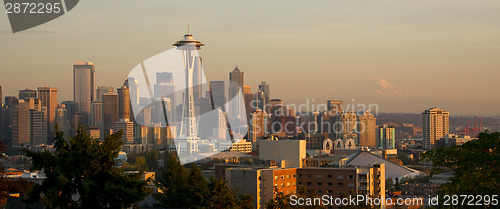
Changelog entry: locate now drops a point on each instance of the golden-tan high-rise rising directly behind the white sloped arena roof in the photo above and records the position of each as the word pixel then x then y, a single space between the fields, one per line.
pixel 366 130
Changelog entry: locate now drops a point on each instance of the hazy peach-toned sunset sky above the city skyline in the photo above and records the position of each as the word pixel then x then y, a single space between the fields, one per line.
pixel 446 49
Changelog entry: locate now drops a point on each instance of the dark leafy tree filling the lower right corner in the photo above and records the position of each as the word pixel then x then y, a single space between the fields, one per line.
pixel 476 165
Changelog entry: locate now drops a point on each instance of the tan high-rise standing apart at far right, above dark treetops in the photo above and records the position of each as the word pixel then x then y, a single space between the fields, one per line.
pixel 436 125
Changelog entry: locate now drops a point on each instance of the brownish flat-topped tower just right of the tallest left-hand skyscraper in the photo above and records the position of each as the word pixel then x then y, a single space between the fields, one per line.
pixel 109 110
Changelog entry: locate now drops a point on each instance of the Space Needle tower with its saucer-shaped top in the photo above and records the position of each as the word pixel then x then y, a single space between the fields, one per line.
pixel 188 139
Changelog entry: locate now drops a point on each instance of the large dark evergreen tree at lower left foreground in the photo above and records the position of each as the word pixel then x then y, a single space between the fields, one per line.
pixel 83 173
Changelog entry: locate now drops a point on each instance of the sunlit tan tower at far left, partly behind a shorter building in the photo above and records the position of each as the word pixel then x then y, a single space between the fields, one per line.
pixel 48 98
